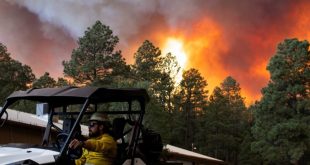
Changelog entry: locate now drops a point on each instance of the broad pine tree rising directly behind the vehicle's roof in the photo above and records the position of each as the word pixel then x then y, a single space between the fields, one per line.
pixel 94 62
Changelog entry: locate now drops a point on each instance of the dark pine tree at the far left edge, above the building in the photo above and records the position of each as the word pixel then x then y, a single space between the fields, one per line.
pixel 14 75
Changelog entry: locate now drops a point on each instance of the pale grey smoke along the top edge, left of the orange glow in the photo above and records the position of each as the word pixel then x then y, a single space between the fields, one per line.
pixel 124 17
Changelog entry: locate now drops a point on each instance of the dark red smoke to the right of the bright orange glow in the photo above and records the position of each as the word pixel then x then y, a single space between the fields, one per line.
pixel 253 29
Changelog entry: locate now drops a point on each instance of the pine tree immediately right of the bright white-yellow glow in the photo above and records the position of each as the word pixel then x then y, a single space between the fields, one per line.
pixel 190 101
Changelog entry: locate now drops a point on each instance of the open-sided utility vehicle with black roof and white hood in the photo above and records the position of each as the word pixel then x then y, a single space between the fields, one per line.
pixel 73 105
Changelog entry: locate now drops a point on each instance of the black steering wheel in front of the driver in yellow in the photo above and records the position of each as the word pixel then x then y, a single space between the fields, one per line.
pixel 72 153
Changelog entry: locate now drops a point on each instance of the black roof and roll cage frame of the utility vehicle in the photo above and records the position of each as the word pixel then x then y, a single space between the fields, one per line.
pixel 61 98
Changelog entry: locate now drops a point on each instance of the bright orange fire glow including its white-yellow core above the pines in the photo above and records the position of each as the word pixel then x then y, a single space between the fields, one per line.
pixel 199 49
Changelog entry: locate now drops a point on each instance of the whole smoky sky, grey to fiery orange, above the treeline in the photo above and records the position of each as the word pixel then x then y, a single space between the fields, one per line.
pixel 220 37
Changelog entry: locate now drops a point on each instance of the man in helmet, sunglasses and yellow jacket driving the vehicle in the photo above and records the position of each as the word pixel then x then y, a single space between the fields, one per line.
pixel 100 148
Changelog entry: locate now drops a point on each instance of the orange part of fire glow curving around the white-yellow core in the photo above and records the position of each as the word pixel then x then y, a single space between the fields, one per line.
pixel 202 46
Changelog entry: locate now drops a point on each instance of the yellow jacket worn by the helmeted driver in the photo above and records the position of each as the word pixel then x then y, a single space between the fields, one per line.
pixel 101 150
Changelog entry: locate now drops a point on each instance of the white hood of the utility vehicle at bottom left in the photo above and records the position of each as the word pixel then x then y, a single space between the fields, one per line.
pixel 14 155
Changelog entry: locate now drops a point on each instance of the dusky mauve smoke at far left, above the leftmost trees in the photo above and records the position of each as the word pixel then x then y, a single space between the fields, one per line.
pixel 42 46
